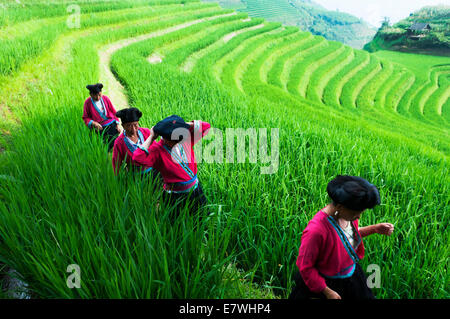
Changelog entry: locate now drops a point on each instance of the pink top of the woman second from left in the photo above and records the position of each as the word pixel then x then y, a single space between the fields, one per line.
pixel 124 148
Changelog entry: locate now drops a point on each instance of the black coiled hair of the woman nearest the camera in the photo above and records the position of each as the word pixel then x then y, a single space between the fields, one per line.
pixel 353 192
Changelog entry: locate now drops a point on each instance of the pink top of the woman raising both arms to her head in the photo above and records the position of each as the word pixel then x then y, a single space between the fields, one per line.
pixel 176 165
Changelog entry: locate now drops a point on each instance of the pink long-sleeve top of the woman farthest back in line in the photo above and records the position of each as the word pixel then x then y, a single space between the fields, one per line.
pixel 92 113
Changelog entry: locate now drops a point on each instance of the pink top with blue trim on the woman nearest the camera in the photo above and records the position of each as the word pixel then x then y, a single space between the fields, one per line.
pixel 325 252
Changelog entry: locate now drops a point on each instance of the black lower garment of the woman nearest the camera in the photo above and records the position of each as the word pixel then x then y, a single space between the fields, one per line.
pixel 354 287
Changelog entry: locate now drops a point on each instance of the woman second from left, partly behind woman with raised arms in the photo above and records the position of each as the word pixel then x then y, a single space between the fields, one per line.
pixel 129 140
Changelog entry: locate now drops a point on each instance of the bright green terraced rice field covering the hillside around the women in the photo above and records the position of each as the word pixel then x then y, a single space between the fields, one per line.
pixel 289 111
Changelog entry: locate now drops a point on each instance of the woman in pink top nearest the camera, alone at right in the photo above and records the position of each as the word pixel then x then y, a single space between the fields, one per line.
pixel 331 244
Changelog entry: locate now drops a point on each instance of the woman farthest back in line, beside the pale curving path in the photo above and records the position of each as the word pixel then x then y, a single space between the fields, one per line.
pixel 100 114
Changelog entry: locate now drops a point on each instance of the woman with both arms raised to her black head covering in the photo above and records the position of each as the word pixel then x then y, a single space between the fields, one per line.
pixel 173 157
